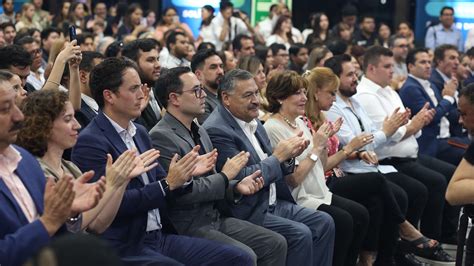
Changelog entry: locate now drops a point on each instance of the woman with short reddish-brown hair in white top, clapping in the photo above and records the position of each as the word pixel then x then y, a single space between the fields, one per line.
pixel 286 93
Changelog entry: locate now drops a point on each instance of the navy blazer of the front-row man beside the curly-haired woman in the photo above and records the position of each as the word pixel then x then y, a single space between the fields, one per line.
pixel 127 231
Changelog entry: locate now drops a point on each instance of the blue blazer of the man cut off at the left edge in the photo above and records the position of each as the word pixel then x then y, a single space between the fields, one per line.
pixel 20 239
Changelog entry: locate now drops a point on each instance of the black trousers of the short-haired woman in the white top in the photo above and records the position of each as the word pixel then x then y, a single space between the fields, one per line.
pixel 351 220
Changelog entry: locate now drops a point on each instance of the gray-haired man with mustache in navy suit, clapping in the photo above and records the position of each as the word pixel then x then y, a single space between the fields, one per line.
pixel 233 127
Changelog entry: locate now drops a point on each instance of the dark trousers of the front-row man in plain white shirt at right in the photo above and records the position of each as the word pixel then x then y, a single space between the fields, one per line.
pixel 439 219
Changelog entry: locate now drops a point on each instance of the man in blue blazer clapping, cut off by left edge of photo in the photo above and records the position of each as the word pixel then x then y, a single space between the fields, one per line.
pixel 29 215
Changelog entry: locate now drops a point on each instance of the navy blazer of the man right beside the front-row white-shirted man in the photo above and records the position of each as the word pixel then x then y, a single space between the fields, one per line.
pixel 414 97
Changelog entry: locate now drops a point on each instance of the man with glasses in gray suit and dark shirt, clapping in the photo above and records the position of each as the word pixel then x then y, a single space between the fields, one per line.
pixel 195 214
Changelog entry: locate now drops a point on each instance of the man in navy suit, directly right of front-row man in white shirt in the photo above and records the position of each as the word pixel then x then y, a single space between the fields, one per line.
pixel 417 91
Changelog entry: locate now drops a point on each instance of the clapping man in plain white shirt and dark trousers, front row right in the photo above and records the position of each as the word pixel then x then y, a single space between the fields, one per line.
pixel 401 149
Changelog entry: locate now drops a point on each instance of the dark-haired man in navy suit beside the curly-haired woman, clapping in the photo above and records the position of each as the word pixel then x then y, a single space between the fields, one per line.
pixel 136 231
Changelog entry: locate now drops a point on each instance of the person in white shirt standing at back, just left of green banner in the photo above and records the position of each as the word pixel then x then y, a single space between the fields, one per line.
pixel 225 26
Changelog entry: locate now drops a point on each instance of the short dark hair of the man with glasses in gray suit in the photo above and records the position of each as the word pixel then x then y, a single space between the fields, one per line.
pixel 170 82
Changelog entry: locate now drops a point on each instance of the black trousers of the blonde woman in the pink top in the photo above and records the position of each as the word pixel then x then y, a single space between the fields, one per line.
pixel 371 189
